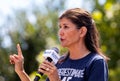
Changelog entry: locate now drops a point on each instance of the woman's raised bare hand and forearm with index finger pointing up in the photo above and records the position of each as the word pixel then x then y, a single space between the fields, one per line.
pixel 18 61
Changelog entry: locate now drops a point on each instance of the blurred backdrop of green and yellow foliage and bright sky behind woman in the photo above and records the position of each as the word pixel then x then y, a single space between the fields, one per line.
pixel 34 24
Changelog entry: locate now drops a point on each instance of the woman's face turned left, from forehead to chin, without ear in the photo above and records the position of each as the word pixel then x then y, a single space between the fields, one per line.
pixel 68 33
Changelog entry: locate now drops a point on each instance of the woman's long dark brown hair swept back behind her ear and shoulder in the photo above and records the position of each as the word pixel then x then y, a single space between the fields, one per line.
pixel 82 18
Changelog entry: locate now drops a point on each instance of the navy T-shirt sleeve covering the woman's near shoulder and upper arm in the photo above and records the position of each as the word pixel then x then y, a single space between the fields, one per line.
pixel 97 67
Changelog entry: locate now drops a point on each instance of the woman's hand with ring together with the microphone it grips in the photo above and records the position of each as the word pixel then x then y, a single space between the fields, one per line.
pixel 47 67
